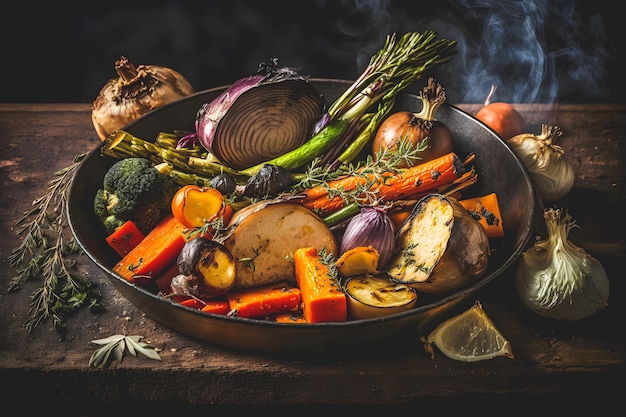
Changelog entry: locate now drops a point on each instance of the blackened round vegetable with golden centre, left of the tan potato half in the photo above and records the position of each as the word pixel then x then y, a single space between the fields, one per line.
pixel 207 269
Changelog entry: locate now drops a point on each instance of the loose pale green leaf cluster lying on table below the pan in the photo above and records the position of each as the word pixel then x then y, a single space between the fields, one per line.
pixel 114 347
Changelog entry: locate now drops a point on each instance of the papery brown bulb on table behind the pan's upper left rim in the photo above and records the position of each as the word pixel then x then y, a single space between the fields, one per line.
pixel 137 91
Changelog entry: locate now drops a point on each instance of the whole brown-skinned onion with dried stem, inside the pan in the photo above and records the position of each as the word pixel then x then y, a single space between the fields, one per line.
pixel 415 128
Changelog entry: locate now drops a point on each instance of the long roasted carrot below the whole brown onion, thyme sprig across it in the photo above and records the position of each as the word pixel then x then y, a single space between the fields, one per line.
pixel 389 186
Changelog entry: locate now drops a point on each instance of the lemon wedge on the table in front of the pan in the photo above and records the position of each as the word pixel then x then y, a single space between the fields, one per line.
pixel 469 337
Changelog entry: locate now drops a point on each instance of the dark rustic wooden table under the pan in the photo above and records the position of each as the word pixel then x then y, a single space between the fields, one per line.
pixel 566 364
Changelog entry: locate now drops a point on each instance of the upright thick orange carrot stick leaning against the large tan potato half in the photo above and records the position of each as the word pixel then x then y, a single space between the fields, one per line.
pixel 322 299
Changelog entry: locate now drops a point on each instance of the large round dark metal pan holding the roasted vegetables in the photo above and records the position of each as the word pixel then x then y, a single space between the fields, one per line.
pixel 499 171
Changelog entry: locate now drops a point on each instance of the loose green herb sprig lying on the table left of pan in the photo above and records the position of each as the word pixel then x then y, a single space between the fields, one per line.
pixel 45 253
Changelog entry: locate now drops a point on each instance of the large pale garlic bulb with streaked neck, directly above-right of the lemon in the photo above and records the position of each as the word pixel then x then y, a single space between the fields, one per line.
pixel 559 280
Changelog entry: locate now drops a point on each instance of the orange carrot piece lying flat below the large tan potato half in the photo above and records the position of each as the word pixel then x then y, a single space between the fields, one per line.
pixel 264 300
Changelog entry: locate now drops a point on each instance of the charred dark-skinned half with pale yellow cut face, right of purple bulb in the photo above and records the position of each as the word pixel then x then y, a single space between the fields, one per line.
pixel 442 247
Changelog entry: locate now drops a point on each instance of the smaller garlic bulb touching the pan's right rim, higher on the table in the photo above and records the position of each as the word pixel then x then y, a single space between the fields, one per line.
pixel 552 174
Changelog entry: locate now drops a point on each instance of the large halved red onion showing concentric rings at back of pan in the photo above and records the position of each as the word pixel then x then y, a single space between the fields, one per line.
pixel 259 118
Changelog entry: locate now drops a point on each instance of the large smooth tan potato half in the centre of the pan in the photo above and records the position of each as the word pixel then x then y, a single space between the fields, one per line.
pixel 265 235
